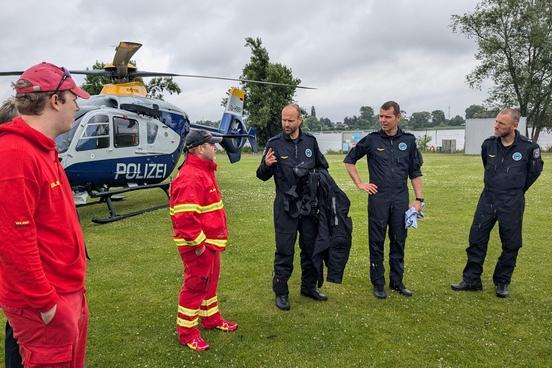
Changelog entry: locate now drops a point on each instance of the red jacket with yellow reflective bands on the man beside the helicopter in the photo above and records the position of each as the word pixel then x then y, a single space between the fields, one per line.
pixel 196 207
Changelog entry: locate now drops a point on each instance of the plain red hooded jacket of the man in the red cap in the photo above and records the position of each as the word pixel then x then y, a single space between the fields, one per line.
pixel 41 241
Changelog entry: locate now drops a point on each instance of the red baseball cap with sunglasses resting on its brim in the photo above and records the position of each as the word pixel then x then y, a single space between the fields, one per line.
pixel 46 77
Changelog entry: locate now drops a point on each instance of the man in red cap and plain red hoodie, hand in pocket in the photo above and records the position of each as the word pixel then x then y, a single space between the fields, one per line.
pixel 42 256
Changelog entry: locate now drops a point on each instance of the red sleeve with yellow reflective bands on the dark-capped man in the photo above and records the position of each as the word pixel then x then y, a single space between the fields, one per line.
pixel 185 210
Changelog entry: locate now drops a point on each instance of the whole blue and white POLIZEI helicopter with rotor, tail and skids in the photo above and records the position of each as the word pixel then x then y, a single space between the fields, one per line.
pixel 123 139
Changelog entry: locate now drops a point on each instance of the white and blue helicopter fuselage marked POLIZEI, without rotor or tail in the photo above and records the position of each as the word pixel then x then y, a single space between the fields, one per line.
pixel 122 141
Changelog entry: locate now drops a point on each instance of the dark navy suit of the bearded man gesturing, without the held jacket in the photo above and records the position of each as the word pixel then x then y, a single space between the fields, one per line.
pixel 293 210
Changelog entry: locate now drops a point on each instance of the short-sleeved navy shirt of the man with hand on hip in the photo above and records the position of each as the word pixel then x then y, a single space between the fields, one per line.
pixel 391 159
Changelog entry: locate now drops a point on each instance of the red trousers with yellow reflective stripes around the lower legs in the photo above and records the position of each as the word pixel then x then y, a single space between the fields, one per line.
pixel 198 294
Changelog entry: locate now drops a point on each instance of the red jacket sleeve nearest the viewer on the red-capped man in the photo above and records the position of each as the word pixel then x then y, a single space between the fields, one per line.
pixel 19 248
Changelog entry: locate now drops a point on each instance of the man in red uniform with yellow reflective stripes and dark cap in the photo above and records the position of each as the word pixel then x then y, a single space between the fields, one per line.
pixel 200 233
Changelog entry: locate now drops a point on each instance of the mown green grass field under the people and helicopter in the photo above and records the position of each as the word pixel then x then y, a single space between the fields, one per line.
pixel 135 274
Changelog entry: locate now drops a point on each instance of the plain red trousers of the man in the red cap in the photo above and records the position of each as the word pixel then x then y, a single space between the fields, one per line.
pixel 58 344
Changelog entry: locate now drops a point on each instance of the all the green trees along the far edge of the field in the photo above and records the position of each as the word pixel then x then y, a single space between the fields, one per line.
pixel 514 51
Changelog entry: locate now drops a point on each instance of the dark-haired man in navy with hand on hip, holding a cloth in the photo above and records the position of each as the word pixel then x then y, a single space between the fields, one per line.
pixel 392 158
